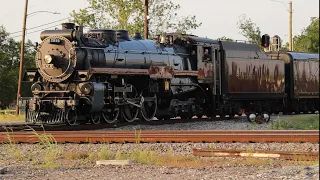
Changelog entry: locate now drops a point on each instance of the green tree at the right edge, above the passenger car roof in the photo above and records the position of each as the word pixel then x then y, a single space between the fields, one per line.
pixel 308 41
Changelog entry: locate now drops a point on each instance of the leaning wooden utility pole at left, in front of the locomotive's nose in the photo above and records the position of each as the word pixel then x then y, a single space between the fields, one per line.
pixel 22 54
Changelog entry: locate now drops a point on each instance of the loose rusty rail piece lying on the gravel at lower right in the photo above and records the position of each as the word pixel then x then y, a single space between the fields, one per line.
pixel 206 152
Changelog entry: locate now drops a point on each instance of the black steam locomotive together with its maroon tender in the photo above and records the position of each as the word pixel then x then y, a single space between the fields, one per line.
pixel 105 75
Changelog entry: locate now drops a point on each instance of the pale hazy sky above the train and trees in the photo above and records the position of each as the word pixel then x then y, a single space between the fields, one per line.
pixel 219 18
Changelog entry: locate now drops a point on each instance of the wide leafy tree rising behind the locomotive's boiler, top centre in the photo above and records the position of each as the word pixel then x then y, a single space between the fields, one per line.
pixel 129 15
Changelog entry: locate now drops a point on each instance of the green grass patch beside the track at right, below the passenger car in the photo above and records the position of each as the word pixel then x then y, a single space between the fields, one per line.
pixel 300 122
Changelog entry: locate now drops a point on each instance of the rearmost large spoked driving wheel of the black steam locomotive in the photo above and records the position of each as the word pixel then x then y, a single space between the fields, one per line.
pixel 149 108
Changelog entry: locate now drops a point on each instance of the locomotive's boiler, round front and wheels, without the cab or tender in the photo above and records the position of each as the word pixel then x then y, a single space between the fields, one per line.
pixel 104 73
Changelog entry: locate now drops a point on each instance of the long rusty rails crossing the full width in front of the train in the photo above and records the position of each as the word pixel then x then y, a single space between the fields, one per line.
pixel 299 136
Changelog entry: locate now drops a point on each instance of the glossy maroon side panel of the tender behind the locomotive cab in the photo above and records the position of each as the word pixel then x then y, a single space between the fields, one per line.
pixel 255 76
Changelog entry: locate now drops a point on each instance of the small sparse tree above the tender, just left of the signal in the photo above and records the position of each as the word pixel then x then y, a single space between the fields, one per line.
pixel 249 30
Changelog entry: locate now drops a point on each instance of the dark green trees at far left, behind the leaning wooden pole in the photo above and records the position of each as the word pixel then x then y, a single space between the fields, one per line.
pixel 9 64
